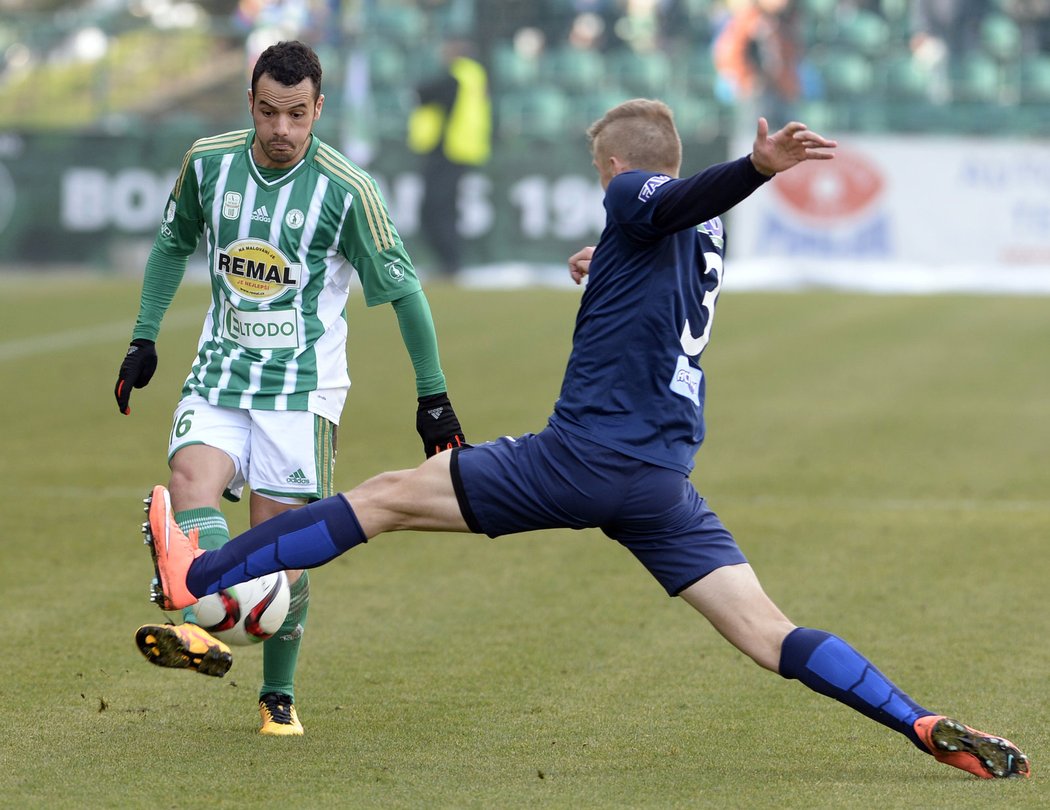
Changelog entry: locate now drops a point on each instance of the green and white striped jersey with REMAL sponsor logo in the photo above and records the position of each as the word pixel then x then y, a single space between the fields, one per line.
pixel 282 246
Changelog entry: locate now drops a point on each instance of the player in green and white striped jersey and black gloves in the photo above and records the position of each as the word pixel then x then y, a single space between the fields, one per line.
pixel 286 220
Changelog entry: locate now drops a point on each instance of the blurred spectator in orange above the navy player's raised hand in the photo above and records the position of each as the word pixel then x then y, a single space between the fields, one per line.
pixel 758 54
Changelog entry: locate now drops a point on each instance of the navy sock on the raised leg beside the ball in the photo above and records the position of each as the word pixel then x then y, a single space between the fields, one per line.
pixel 303 538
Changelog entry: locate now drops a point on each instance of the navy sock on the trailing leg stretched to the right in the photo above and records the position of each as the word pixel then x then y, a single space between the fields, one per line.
pixel 829 666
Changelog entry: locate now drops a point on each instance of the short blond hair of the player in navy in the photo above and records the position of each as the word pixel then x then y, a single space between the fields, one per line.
pixel 641 133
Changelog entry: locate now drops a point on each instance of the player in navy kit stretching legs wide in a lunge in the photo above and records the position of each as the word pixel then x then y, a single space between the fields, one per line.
pixel 619 448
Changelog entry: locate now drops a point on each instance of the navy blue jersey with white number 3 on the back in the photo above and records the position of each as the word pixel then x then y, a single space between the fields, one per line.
pixel 634 382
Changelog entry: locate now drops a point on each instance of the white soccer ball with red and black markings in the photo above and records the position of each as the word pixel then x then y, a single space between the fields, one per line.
pixel 246 614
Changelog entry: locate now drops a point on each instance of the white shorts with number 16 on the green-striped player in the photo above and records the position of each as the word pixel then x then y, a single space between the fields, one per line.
pixel 281 454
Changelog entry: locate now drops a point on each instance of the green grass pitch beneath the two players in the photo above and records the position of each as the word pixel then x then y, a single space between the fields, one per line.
pixel 884 462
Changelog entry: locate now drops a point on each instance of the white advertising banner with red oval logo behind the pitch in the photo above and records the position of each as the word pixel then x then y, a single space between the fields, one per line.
pixel 901 215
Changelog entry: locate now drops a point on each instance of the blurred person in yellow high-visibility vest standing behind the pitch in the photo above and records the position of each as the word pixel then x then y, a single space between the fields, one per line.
pixel 451 127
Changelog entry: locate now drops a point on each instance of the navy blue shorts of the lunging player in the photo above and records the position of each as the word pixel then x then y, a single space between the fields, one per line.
pixel 555 481
